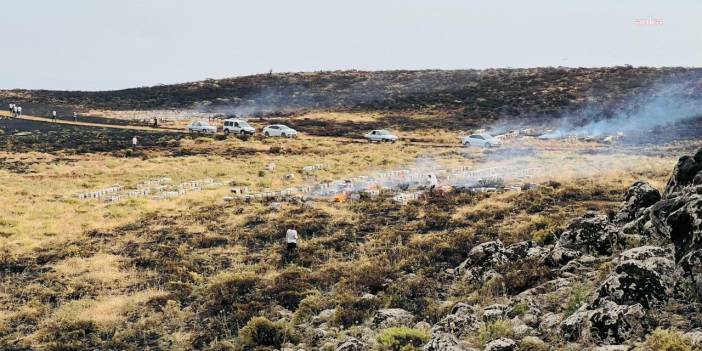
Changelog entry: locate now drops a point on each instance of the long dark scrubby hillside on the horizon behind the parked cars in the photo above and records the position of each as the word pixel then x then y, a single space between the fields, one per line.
pixel 492 93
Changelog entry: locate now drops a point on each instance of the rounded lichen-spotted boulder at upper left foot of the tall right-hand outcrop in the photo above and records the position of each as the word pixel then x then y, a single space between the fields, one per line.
pixel 591 234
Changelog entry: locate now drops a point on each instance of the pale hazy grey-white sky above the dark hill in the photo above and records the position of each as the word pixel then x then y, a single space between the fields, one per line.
pixel 112 44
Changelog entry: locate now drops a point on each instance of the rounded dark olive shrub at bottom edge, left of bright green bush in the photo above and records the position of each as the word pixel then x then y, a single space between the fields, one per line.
pixel 259 331
